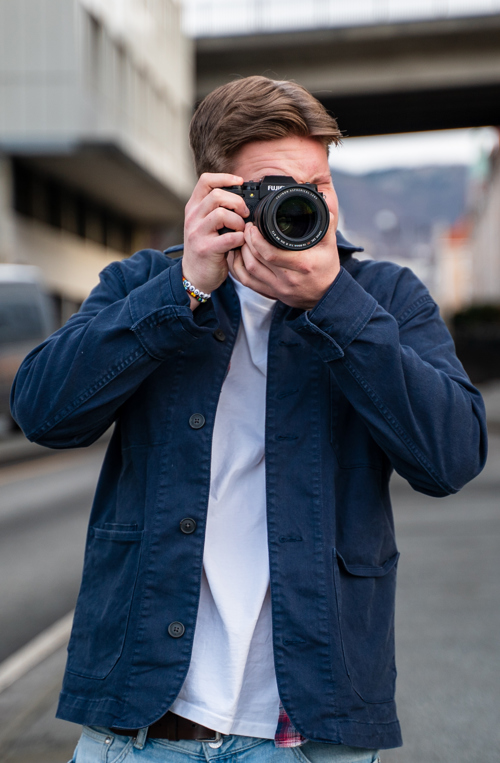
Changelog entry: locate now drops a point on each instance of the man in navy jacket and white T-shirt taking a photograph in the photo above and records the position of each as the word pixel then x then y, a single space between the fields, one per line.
pixel 240 565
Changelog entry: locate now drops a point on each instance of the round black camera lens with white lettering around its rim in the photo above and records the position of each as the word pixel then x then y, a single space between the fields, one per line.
pixel 294 217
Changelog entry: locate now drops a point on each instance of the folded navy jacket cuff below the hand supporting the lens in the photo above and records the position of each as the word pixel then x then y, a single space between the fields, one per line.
pixel 337 319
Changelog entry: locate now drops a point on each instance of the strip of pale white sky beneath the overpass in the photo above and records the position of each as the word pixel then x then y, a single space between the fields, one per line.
pixel 359 155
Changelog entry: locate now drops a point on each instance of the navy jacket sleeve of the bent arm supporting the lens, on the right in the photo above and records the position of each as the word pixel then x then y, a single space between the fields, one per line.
pixel 397 367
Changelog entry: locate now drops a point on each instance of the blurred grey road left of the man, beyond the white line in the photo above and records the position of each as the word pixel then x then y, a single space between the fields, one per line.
pixel 44 510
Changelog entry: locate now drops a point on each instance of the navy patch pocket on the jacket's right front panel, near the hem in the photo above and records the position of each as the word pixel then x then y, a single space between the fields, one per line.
pixel 365 602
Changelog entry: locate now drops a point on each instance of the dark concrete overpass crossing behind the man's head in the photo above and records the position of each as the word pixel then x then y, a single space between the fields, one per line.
pixel 386 78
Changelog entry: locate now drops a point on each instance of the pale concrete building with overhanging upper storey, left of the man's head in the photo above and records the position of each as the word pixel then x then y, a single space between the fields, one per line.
pixel 95 101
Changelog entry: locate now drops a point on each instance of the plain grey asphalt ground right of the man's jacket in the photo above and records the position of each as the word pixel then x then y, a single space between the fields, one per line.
pixel 448 622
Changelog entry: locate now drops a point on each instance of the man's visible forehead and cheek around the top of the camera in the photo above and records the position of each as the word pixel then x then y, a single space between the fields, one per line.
pixel 304 159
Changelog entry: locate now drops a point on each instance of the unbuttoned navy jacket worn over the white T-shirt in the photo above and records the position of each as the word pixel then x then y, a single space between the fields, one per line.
pixel 364 383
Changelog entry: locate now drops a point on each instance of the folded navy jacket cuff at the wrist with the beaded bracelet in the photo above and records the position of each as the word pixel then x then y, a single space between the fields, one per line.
pixel 162 318
